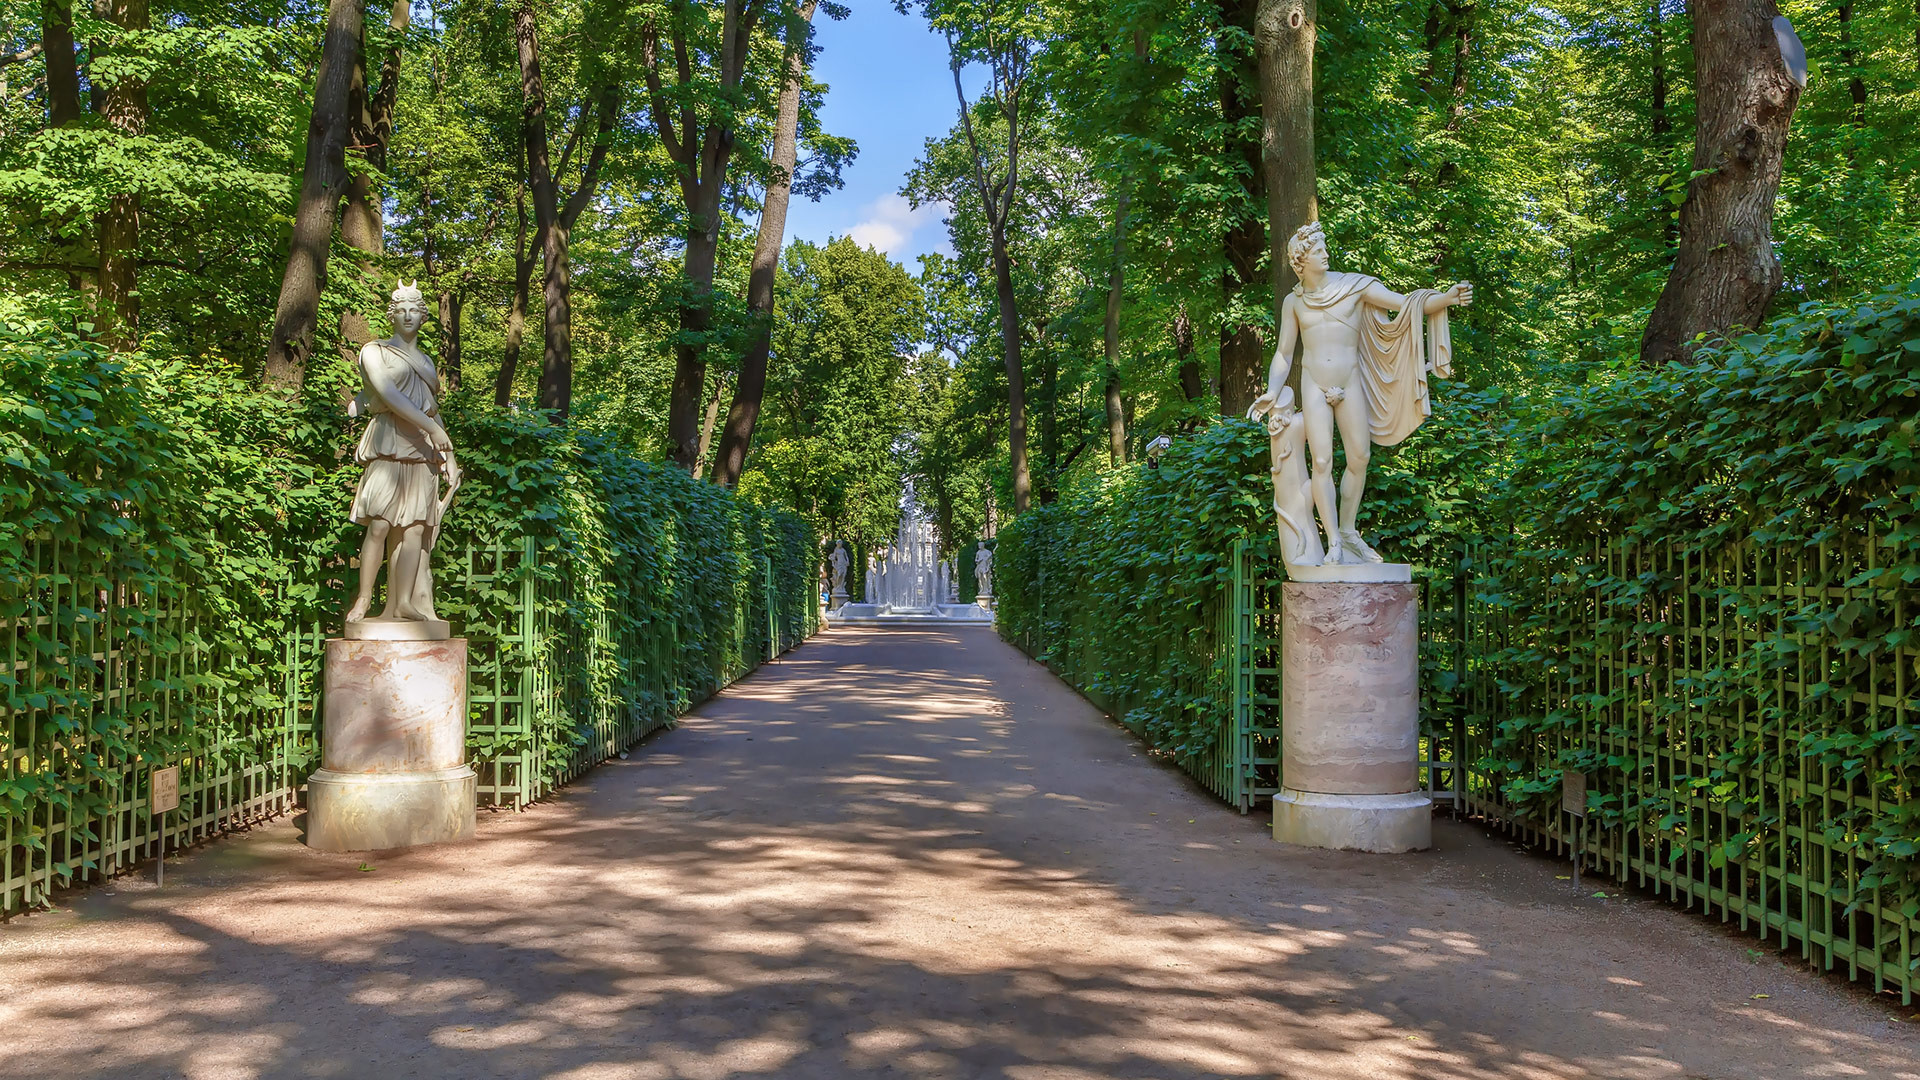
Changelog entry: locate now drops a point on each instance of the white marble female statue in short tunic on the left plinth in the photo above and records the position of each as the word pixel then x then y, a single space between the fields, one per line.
pixel 406 454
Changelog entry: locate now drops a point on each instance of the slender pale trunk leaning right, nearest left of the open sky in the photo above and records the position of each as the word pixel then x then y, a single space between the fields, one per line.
pixel 752 389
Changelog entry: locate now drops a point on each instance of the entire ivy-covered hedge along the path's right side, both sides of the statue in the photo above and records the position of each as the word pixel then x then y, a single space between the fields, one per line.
pixel 1696 585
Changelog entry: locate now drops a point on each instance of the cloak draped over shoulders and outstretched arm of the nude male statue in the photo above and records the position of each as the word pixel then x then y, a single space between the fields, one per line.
pixel 1395 356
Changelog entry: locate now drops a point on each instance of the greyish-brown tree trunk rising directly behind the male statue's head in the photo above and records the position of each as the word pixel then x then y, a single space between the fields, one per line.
pixel 1284 39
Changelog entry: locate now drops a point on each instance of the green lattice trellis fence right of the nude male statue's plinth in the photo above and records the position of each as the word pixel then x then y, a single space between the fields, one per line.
pixel 1696 695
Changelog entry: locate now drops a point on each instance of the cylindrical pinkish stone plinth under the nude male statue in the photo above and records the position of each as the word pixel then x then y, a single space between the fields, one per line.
pixel 1351 718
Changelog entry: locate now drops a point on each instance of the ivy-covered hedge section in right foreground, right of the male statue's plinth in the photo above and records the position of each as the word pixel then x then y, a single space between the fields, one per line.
pixel 1708 606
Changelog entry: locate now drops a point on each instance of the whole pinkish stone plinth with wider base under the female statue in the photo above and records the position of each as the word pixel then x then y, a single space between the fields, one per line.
pixel 393 749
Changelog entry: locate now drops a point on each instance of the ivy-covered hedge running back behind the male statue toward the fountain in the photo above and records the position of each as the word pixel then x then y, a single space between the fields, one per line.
pixel 1113 583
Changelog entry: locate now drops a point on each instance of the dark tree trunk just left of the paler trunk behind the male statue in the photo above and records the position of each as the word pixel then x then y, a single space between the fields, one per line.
pixel 1245 243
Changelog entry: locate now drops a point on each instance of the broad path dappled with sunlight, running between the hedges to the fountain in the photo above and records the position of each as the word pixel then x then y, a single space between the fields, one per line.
pixel 900 854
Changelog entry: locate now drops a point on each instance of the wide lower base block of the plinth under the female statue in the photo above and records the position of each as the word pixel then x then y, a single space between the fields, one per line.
pixel 373 812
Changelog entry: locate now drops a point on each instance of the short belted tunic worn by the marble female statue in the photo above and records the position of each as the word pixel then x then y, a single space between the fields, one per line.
pixel 400 483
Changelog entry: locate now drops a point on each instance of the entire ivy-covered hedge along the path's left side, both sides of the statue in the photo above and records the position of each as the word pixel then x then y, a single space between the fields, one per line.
pixel 174 549
